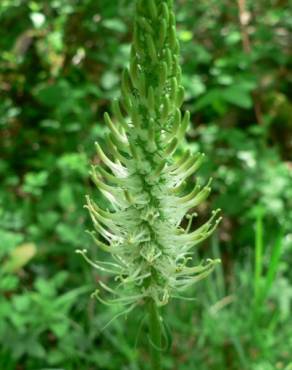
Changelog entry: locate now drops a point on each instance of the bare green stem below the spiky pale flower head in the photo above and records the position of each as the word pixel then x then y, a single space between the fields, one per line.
pixel 154 335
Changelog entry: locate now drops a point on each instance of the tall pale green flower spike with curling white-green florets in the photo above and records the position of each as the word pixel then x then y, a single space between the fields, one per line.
pixel 145 181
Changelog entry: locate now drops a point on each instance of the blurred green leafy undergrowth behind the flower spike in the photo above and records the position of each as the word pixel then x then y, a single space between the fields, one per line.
pixel 60 64
